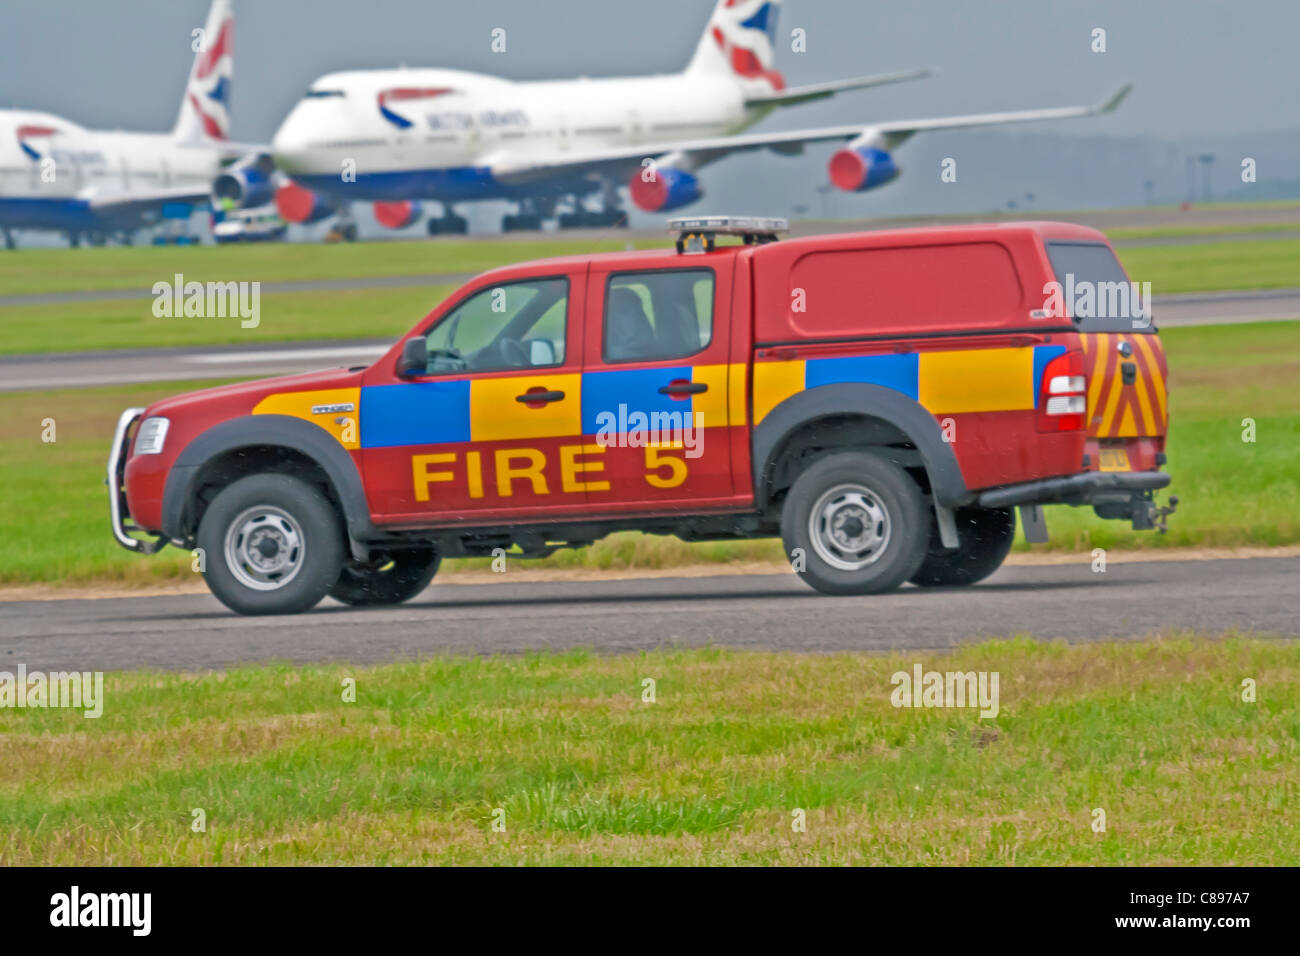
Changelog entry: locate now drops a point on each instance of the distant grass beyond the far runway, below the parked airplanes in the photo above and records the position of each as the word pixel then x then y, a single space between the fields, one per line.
pixel 363 314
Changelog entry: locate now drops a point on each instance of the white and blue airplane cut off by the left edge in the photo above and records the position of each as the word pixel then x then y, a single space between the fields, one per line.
pixel 94 184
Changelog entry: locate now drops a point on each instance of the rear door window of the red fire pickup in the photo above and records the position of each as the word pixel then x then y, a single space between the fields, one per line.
pixel 652 317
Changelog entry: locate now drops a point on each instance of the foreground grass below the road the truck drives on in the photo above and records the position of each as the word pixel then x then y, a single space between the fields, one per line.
pixel 580 771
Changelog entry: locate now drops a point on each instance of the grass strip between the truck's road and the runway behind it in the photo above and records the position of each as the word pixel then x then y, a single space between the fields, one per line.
pixel 55 522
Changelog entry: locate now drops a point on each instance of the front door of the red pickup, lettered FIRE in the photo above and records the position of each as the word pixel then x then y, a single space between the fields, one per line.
pixel 465 444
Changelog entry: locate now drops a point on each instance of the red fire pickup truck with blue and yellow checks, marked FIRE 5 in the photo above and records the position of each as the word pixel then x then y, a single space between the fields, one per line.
pixel 882 401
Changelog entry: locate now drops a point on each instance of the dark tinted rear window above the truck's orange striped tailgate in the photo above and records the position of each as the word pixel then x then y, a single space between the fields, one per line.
pixel 1095 289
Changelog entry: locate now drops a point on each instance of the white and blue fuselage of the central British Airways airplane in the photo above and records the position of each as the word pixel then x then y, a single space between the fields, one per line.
pixel 434 135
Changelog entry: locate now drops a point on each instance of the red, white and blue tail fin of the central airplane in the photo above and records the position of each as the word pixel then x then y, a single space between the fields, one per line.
pixel 740 41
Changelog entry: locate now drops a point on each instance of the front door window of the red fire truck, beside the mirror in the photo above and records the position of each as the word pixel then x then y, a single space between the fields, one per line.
pixel 504 327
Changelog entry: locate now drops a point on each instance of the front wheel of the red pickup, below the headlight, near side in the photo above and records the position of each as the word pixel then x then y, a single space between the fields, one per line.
pixel 272 544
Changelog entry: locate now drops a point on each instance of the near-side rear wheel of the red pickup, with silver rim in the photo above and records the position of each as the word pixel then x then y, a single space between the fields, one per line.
pixel 879 508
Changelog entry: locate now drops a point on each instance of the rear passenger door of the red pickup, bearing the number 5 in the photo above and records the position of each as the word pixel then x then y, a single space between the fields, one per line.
pixel 656 387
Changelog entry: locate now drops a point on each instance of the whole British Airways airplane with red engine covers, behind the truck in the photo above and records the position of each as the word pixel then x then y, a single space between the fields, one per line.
pixel 402 136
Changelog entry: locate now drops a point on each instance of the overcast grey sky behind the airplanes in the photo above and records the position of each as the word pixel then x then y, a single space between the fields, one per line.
pixel 1229 67
